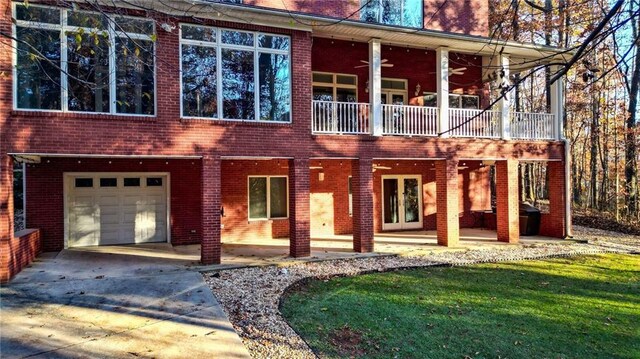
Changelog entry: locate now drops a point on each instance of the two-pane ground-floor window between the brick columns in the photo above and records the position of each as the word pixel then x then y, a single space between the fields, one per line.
pixel 268 197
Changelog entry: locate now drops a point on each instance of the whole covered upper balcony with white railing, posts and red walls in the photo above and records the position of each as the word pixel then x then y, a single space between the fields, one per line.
pixel 384 90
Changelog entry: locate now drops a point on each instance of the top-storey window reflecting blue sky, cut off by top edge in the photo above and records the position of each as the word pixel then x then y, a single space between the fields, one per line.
pixel 392 12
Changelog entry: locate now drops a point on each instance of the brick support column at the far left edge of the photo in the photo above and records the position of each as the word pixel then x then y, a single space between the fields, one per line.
pixel 6 217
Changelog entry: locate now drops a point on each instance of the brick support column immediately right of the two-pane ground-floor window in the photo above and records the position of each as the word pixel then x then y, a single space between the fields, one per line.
pixel 299 211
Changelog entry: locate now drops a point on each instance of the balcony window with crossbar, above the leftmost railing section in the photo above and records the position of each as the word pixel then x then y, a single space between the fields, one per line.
pixel 335 87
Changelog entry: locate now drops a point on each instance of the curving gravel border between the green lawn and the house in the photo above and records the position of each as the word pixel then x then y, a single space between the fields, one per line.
pixel 251 296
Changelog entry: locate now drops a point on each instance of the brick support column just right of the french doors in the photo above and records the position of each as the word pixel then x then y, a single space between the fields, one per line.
pixel 447 203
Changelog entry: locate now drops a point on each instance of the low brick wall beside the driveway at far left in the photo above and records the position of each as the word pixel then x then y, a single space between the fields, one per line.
pixel 18 253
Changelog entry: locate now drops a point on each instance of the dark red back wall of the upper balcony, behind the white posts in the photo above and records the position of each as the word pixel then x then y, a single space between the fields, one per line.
pixel 414 65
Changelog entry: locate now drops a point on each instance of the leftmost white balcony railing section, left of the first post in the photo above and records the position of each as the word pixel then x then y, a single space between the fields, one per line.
pixel 340 117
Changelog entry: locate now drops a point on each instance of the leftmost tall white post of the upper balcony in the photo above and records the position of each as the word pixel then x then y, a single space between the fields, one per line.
pixel 375 86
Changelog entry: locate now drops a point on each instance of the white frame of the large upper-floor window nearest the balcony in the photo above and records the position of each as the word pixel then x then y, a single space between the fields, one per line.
pixel 219 46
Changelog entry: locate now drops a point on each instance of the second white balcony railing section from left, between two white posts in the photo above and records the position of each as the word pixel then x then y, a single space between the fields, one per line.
pixel 409 120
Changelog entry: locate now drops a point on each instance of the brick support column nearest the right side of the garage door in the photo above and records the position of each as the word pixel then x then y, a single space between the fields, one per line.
pixel 210 249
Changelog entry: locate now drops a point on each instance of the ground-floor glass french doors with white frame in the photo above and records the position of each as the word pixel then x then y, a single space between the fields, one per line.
pixel 401 202
